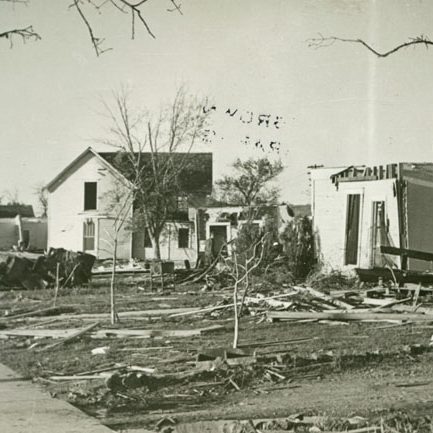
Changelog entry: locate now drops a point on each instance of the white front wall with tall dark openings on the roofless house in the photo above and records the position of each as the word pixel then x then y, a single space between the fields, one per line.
pixel 329 210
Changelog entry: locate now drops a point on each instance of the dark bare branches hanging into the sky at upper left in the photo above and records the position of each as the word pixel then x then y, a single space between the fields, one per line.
pixel 133 9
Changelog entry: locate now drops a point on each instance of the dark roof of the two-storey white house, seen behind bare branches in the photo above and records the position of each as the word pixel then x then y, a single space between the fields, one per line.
pixel 195 178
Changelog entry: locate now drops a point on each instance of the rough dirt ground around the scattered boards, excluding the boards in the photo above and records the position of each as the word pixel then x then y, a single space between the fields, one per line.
pixel 375 370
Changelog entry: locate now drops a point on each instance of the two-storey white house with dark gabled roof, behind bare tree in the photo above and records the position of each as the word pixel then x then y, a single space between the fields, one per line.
pixel 80 218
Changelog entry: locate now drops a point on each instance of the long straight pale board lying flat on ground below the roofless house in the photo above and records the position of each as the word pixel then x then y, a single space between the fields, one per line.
pixel 283 315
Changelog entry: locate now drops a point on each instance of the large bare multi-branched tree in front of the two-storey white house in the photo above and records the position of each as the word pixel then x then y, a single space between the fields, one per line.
pixel 148 152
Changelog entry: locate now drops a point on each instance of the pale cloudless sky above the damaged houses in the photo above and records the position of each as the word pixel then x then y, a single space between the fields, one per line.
pixel 339 105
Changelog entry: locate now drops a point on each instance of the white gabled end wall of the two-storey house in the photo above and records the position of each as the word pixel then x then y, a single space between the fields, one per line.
pixel 66 214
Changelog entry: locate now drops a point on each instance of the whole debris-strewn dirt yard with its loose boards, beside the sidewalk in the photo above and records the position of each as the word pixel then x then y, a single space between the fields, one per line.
pixel 165 366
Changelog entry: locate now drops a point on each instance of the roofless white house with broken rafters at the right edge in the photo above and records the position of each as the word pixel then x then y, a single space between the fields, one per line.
pixel 374 217
